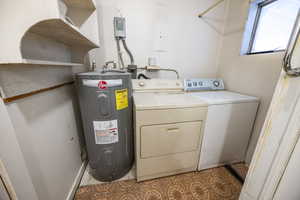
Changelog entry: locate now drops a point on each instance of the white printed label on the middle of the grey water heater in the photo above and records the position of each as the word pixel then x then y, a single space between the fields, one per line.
pixel 106 132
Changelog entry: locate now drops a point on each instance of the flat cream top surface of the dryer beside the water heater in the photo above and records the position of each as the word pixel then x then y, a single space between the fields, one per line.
pixel 152 101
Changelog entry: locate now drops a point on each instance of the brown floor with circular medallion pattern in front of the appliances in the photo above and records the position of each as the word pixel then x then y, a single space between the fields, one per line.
pixel 211 184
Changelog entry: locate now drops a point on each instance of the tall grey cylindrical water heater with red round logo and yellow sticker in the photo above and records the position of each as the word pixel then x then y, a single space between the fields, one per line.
pixel 106 109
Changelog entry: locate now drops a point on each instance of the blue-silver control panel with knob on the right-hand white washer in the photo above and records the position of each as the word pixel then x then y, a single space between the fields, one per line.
pixel 203 84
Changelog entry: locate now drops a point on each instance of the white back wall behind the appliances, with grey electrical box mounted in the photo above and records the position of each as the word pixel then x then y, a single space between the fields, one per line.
pixel 166 29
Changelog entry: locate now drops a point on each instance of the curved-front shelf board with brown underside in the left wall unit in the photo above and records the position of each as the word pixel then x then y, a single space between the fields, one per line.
pixel 64 32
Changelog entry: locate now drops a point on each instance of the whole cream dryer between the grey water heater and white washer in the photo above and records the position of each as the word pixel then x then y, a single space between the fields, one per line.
pixel 169 126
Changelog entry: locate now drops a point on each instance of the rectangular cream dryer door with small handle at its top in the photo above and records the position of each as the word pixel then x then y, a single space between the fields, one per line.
pixel 165 139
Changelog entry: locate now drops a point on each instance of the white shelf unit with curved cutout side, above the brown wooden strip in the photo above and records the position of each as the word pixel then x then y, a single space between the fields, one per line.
pixel 54 32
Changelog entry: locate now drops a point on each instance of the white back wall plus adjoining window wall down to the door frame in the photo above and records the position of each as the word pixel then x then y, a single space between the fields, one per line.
pixel 208 47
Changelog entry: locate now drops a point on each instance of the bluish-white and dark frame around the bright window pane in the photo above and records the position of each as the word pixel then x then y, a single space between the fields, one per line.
pixel 251 28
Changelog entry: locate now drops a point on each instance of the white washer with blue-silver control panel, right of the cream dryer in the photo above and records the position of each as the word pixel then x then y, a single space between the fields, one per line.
pixel 229 122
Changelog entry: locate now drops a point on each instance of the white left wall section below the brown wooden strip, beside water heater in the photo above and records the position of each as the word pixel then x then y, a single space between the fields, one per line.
pixel 47 130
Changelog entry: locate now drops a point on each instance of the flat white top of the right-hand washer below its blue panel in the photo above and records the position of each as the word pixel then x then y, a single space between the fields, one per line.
pixel 223 97
